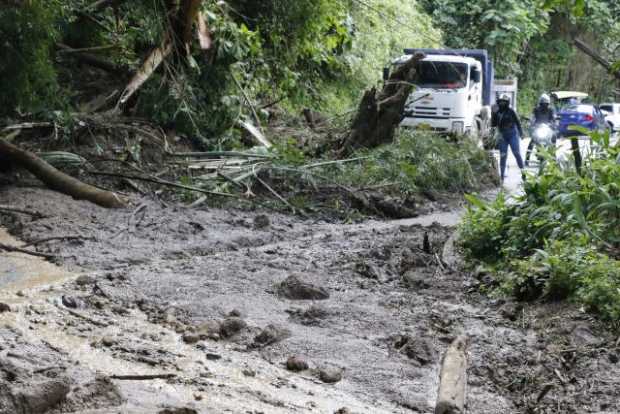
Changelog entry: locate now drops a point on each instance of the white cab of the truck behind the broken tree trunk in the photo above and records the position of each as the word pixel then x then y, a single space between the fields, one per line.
pixel 448 96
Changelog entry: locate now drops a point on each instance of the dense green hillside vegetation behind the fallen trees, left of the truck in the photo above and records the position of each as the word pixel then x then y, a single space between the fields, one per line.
pixel 319 54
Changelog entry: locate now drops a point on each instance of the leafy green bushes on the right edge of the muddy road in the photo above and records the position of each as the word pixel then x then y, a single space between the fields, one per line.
pixel 561 238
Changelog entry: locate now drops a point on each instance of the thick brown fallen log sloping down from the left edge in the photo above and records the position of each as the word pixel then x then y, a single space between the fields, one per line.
pixel 58 180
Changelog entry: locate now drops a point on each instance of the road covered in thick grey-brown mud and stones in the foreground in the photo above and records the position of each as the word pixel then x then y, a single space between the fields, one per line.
pixel 214 303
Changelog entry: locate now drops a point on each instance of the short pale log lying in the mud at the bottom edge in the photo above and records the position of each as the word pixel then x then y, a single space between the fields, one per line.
pixel 453 379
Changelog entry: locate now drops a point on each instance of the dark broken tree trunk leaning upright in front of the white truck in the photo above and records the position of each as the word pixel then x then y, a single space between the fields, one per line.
pixel 379 114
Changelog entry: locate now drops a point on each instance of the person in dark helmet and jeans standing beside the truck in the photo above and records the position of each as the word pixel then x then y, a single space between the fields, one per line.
pixel 506 120
